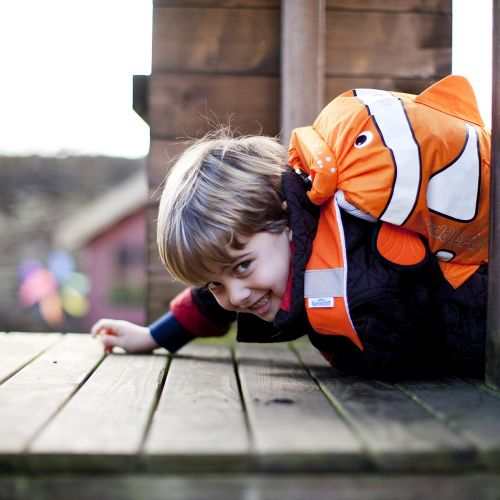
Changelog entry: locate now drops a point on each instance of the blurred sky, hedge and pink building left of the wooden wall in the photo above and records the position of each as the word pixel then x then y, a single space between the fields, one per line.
pixel 73 162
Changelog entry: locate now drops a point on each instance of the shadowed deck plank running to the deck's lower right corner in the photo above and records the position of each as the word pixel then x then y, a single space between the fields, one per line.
pixel 470 411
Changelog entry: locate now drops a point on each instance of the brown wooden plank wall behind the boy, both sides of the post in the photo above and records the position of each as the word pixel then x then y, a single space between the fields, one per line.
pixel 219 60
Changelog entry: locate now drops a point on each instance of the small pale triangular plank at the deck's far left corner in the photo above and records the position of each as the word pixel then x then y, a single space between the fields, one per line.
pixel 18 349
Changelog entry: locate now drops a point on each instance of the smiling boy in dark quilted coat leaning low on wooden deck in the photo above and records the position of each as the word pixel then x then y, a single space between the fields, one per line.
pixel 236 223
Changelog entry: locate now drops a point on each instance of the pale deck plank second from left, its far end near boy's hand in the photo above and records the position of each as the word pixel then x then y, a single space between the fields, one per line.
pixel 32 396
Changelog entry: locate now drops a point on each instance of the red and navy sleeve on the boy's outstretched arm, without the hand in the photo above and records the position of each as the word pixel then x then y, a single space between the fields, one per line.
pixel 193 313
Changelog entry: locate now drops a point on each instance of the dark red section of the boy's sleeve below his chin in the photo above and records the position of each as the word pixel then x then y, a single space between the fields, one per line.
pixel 190 317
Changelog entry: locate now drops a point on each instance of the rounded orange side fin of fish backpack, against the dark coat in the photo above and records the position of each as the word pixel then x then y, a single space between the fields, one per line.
pixel 399 246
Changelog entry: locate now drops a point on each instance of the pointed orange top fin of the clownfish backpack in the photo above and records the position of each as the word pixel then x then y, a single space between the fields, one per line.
pixel 454 96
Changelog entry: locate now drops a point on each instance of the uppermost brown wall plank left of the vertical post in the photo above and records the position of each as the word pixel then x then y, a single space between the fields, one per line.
pixel 216 40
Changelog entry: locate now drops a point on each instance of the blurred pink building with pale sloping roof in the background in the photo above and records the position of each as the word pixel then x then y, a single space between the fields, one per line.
pixel 109 237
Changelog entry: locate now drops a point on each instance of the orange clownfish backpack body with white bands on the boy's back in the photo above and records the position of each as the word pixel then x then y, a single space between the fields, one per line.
pixel 442 139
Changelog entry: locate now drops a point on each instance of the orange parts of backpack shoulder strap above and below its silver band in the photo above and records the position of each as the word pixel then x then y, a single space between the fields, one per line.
pixel 328 253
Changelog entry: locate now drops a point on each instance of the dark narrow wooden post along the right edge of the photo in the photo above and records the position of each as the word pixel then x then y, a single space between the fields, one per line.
pixel 493 329
